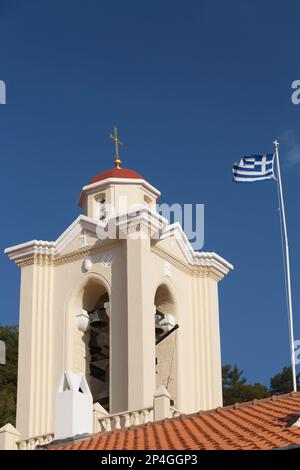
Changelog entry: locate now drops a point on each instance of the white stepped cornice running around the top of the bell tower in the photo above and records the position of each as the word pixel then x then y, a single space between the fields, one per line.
pixel 142 219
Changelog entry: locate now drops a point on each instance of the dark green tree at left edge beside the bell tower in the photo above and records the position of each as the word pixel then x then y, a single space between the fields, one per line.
pixel 8 375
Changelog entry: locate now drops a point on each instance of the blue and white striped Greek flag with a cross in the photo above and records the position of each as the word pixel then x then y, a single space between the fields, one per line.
pixel 254 168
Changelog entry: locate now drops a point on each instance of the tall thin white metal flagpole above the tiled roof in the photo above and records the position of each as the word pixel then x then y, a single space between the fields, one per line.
pixel 287 266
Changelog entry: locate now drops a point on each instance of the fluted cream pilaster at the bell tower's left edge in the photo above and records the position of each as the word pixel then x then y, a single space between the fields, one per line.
pixel 34 395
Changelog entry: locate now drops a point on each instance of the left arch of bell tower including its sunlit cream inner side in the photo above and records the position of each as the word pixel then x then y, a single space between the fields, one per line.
pixel 87 334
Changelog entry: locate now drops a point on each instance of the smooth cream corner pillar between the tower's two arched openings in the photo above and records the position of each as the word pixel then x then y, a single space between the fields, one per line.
pixel 140 317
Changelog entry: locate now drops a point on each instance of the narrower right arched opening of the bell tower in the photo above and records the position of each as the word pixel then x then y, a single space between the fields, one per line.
pixel 165 338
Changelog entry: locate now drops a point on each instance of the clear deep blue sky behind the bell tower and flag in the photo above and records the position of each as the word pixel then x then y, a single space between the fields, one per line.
pixel 192 86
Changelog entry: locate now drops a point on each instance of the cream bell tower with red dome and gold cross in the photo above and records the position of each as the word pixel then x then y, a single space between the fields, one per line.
pixel 122 298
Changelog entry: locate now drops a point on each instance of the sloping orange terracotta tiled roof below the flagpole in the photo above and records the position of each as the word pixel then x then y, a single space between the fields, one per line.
pixel 261 424
